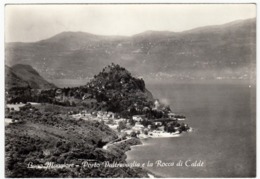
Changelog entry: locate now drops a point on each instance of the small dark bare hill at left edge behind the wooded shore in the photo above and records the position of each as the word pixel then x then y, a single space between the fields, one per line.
pixel 21 75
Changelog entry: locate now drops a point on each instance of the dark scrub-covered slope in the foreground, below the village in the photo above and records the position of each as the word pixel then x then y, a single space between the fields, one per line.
pixel 48 137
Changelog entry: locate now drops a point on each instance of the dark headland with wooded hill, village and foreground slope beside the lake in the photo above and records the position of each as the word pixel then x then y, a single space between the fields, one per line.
pixel 97 123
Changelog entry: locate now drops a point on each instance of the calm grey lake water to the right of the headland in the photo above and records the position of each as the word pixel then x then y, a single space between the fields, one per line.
pixel 223 117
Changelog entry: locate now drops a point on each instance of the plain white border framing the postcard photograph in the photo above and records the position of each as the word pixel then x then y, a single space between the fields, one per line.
pixel 2 21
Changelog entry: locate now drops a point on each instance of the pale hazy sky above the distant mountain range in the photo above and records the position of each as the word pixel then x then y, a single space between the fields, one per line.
pixel 27 23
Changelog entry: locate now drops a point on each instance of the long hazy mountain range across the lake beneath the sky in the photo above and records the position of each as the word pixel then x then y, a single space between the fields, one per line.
pixel 225 51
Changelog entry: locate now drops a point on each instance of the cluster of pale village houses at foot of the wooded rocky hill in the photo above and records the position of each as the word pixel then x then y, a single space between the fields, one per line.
pixel 139 126
